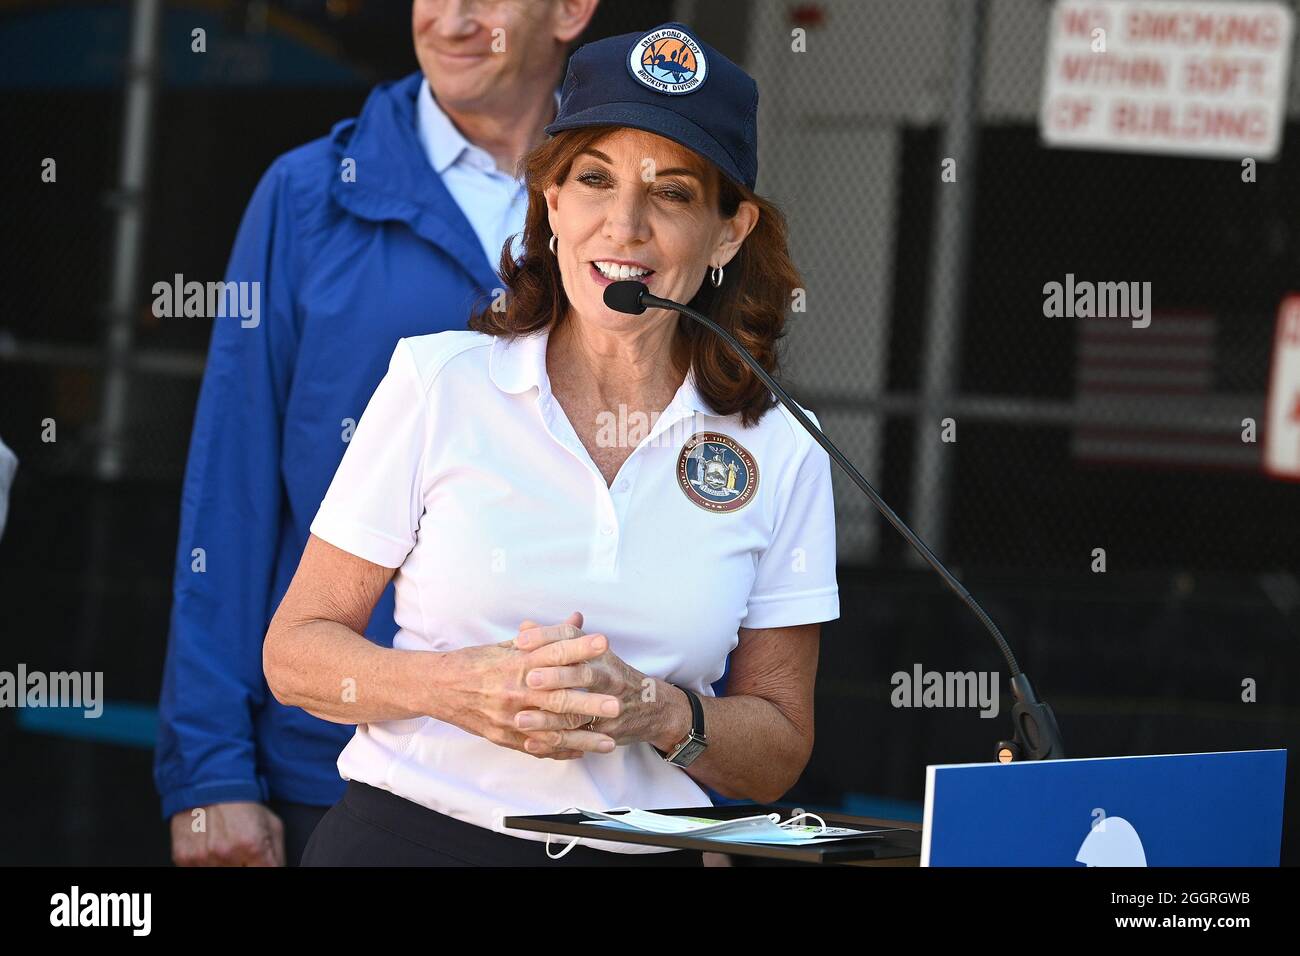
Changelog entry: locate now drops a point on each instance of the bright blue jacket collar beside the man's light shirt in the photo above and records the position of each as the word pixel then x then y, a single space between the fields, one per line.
pixel 395 180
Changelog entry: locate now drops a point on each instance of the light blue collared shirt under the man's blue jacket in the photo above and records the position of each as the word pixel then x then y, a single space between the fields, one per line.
pixel 493 201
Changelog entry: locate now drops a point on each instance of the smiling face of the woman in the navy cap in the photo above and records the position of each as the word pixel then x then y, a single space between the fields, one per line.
pixel 639 206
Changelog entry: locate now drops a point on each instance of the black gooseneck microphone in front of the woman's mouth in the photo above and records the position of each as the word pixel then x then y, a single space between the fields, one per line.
pixel 1037 736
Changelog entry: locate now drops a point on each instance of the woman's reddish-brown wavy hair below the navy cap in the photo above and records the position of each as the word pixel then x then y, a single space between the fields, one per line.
pixel 751 304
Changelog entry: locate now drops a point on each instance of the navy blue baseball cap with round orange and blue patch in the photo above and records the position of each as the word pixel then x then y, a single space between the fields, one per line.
pixel 669 83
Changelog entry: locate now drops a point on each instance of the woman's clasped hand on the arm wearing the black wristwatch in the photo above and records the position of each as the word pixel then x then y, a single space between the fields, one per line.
pixel 644 712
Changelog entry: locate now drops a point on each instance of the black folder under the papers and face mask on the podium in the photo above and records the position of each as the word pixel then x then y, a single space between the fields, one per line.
pixel 898 843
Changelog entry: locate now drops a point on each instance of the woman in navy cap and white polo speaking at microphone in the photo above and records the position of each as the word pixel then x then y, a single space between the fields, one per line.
pixel 584 513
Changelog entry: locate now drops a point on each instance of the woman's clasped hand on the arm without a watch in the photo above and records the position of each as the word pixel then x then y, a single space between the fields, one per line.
pixel 482 690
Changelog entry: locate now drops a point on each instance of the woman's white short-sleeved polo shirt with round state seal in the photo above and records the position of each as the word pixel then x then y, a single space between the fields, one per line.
pixel 466 475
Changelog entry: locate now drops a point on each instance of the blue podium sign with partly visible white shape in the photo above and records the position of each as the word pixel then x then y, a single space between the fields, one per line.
pixel 1191 810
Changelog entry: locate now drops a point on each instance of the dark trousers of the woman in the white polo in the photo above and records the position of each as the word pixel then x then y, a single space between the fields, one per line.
pixel 374 828
